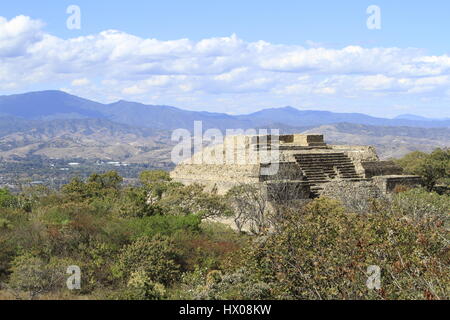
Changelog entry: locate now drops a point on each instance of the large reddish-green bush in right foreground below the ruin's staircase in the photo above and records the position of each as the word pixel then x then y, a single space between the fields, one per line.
pixel 324 252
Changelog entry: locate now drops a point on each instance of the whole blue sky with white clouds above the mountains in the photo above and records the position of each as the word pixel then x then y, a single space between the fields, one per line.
pixel 234 56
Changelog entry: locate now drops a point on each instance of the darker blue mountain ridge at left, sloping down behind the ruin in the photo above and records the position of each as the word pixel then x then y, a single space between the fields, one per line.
pixel 50 105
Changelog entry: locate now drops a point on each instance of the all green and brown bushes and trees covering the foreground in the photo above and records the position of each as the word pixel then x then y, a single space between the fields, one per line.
pixel 155 241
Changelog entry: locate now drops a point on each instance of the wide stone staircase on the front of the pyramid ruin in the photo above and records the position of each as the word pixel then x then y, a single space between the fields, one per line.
pixel 320 168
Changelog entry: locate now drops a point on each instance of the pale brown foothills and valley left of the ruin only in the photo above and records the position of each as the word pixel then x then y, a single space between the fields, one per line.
pixel 82 138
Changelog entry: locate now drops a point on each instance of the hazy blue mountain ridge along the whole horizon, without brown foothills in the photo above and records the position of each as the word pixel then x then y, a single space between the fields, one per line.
pixel 50 105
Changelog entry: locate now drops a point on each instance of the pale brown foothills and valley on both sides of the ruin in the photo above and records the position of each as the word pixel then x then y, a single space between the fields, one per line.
pixel 107 140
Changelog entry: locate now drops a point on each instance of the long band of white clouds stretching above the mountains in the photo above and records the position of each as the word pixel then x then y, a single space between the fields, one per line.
pixel 217 69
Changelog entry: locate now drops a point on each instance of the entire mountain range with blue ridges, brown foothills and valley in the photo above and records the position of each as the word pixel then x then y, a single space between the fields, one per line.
pixel 59 125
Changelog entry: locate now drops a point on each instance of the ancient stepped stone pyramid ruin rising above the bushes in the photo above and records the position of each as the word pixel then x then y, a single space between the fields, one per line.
pixel 290 167
